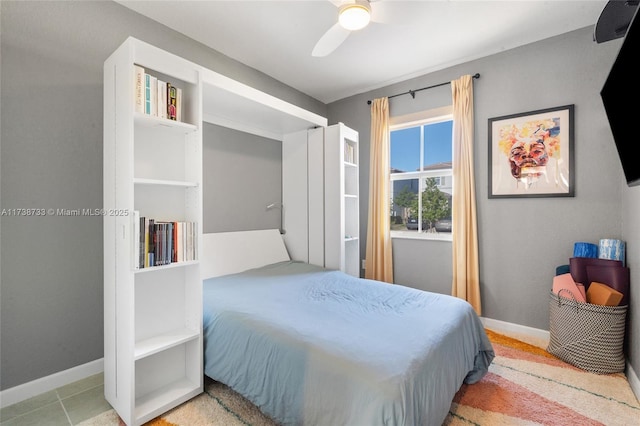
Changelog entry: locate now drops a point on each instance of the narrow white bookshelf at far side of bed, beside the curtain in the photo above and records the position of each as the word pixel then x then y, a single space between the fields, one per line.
pixel 342 218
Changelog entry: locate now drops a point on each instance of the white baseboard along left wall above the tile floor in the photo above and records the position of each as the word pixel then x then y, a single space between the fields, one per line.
pixel 45 384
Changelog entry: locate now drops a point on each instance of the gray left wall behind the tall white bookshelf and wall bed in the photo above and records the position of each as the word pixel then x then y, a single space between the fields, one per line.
pixel 52 57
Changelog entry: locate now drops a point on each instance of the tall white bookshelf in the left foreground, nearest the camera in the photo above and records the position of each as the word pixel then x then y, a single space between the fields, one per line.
pixel 152 165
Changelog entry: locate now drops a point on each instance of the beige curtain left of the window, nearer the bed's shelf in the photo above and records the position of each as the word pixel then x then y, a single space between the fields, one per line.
pixel 379 264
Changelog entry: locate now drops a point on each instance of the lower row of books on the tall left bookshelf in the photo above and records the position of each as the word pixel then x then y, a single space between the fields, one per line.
pixel 158 243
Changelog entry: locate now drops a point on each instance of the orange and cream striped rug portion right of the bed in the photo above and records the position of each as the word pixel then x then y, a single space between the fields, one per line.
pixel 528 386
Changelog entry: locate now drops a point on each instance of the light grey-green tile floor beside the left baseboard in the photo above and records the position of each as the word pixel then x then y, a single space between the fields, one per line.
pixel 65 406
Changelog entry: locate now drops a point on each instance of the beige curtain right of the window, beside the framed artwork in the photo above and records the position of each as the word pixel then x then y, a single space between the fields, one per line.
pixel 466 278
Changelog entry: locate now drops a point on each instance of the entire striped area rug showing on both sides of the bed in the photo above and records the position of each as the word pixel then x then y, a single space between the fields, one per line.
pixel 525 386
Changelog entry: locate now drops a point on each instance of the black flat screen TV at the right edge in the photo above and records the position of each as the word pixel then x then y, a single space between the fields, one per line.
pixel 620 95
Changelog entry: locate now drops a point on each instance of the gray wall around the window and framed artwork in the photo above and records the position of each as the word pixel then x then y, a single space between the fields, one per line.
pixel 522 240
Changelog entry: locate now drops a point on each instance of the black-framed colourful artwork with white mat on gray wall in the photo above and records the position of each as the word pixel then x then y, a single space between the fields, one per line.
pixel 531 154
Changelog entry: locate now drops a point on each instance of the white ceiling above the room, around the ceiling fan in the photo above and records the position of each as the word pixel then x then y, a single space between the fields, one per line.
pixel 416 37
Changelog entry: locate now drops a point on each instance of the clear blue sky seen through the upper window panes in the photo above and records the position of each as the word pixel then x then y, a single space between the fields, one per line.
pixel 405 146
